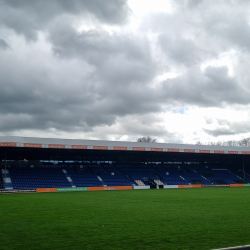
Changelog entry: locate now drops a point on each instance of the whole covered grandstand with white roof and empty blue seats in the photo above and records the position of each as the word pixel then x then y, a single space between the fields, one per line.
pixel 28 163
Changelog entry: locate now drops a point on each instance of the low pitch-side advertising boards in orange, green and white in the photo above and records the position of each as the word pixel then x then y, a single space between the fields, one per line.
pixel 111 188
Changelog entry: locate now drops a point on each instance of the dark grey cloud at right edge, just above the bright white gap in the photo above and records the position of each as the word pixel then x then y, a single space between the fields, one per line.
pixel 213 87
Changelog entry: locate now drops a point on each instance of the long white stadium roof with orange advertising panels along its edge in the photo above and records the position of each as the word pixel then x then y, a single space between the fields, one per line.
pixel 49 143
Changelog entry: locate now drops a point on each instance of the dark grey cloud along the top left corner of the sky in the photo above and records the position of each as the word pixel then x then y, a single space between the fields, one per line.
pixel 28 17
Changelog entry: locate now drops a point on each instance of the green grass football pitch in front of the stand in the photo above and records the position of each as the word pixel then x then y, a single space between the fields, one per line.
pixel 205 218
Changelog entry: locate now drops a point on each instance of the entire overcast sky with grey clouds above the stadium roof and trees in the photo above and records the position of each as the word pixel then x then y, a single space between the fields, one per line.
pixel 178 71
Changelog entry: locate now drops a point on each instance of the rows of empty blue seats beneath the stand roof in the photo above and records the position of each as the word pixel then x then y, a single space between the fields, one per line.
pixel 119 176
